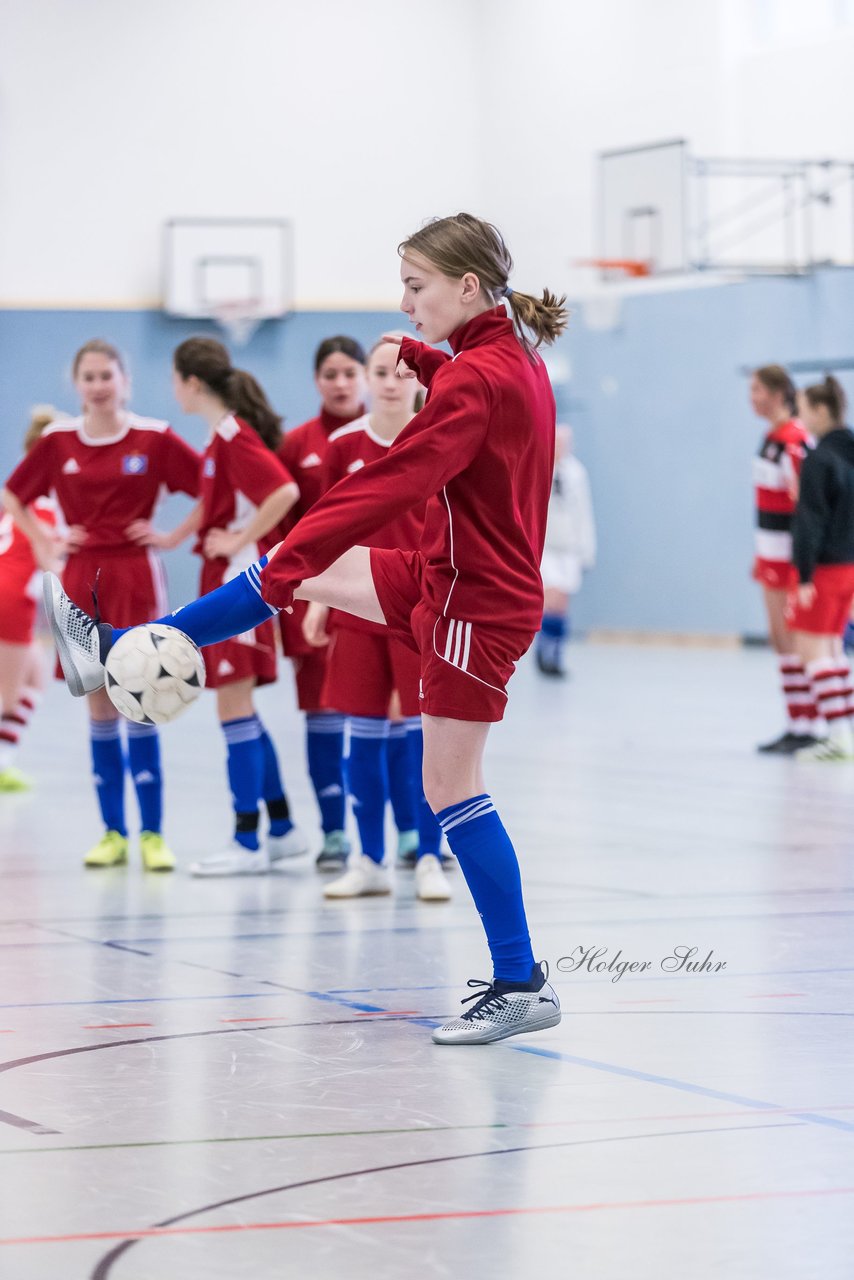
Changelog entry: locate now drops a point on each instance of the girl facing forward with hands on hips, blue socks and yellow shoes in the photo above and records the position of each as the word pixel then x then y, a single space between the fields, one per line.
pixel 108 469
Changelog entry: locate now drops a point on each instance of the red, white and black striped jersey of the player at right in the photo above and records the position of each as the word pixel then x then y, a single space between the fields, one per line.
pixel 777 473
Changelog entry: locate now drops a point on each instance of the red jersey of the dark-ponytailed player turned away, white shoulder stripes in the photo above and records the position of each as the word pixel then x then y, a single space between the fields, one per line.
pixel 238 474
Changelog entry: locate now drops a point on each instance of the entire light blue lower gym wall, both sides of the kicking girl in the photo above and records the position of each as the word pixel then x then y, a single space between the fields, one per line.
pixel 659 406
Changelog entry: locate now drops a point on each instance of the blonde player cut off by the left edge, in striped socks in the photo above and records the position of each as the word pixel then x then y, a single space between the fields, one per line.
pixel 22 670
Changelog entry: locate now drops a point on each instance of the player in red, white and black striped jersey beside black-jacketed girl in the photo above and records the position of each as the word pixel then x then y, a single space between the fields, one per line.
pixel 777 470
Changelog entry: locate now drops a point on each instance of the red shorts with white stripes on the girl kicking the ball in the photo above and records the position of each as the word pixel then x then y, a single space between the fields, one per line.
pixel 465 666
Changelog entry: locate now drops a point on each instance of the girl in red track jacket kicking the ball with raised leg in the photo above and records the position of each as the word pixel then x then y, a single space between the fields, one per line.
pixel 469 601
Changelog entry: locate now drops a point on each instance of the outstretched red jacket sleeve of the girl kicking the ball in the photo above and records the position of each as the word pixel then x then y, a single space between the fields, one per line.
pixel 437 446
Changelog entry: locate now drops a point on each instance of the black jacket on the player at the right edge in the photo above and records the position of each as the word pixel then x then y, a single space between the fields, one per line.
pixel 823 531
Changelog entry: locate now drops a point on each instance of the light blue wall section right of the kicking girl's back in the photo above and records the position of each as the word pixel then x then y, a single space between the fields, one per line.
pixel 664 426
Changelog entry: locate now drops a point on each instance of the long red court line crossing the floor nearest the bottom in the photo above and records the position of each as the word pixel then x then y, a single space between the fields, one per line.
pixel 148 1233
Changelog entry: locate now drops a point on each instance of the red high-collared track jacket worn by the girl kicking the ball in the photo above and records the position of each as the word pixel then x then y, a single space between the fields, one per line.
pixel 482 452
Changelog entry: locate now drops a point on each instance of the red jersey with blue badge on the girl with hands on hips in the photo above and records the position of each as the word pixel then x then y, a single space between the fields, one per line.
pixel 107 484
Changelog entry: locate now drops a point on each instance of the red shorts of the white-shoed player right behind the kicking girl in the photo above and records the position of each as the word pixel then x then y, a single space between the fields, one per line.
pixel 364 670
